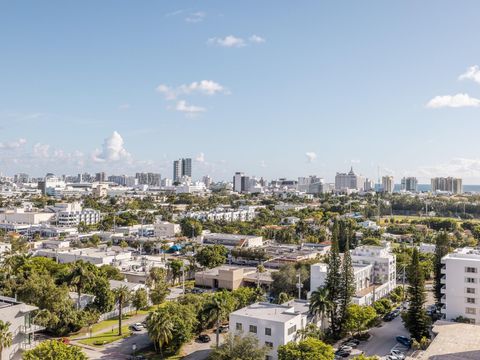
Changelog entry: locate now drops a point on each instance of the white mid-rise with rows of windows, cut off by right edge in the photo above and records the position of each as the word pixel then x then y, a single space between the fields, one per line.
pixel 461 280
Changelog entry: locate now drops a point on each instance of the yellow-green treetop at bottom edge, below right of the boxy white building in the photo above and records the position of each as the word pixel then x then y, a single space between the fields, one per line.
pixel 308 349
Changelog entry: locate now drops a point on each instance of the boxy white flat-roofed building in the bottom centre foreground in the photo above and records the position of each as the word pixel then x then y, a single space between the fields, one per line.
pixel 274 325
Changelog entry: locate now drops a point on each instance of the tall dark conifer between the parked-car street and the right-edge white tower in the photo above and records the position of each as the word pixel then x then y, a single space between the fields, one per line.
pixel 415 318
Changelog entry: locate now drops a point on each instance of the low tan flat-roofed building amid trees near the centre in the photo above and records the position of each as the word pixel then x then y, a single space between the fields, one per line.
pixel 232 277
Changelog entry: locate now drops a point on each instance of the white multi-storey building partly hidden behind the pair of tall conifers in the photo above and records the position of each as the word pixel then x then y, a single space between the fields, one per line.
pixel 374 269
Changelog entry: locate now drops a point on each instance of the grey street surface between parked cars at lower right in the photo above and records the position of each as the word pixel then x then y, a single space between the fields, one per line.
pixel 383 340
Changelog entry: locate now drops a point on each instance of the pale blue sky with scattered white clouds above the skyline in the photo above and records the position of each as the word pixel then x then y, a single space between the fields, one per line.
pixel 271 88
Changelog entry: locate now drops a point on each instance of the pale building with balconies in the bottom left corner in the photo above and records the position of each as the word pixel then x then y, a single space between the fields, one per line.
pixel 18 314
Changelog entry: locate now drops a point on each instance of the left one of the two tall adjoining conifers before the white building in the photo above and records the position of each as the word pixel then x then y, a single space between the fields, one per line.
pixel 333 281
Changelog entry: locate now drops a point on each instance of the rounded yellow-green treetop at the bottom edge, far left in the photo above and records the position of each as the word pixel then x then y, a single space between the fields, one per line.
pixel 54 350
